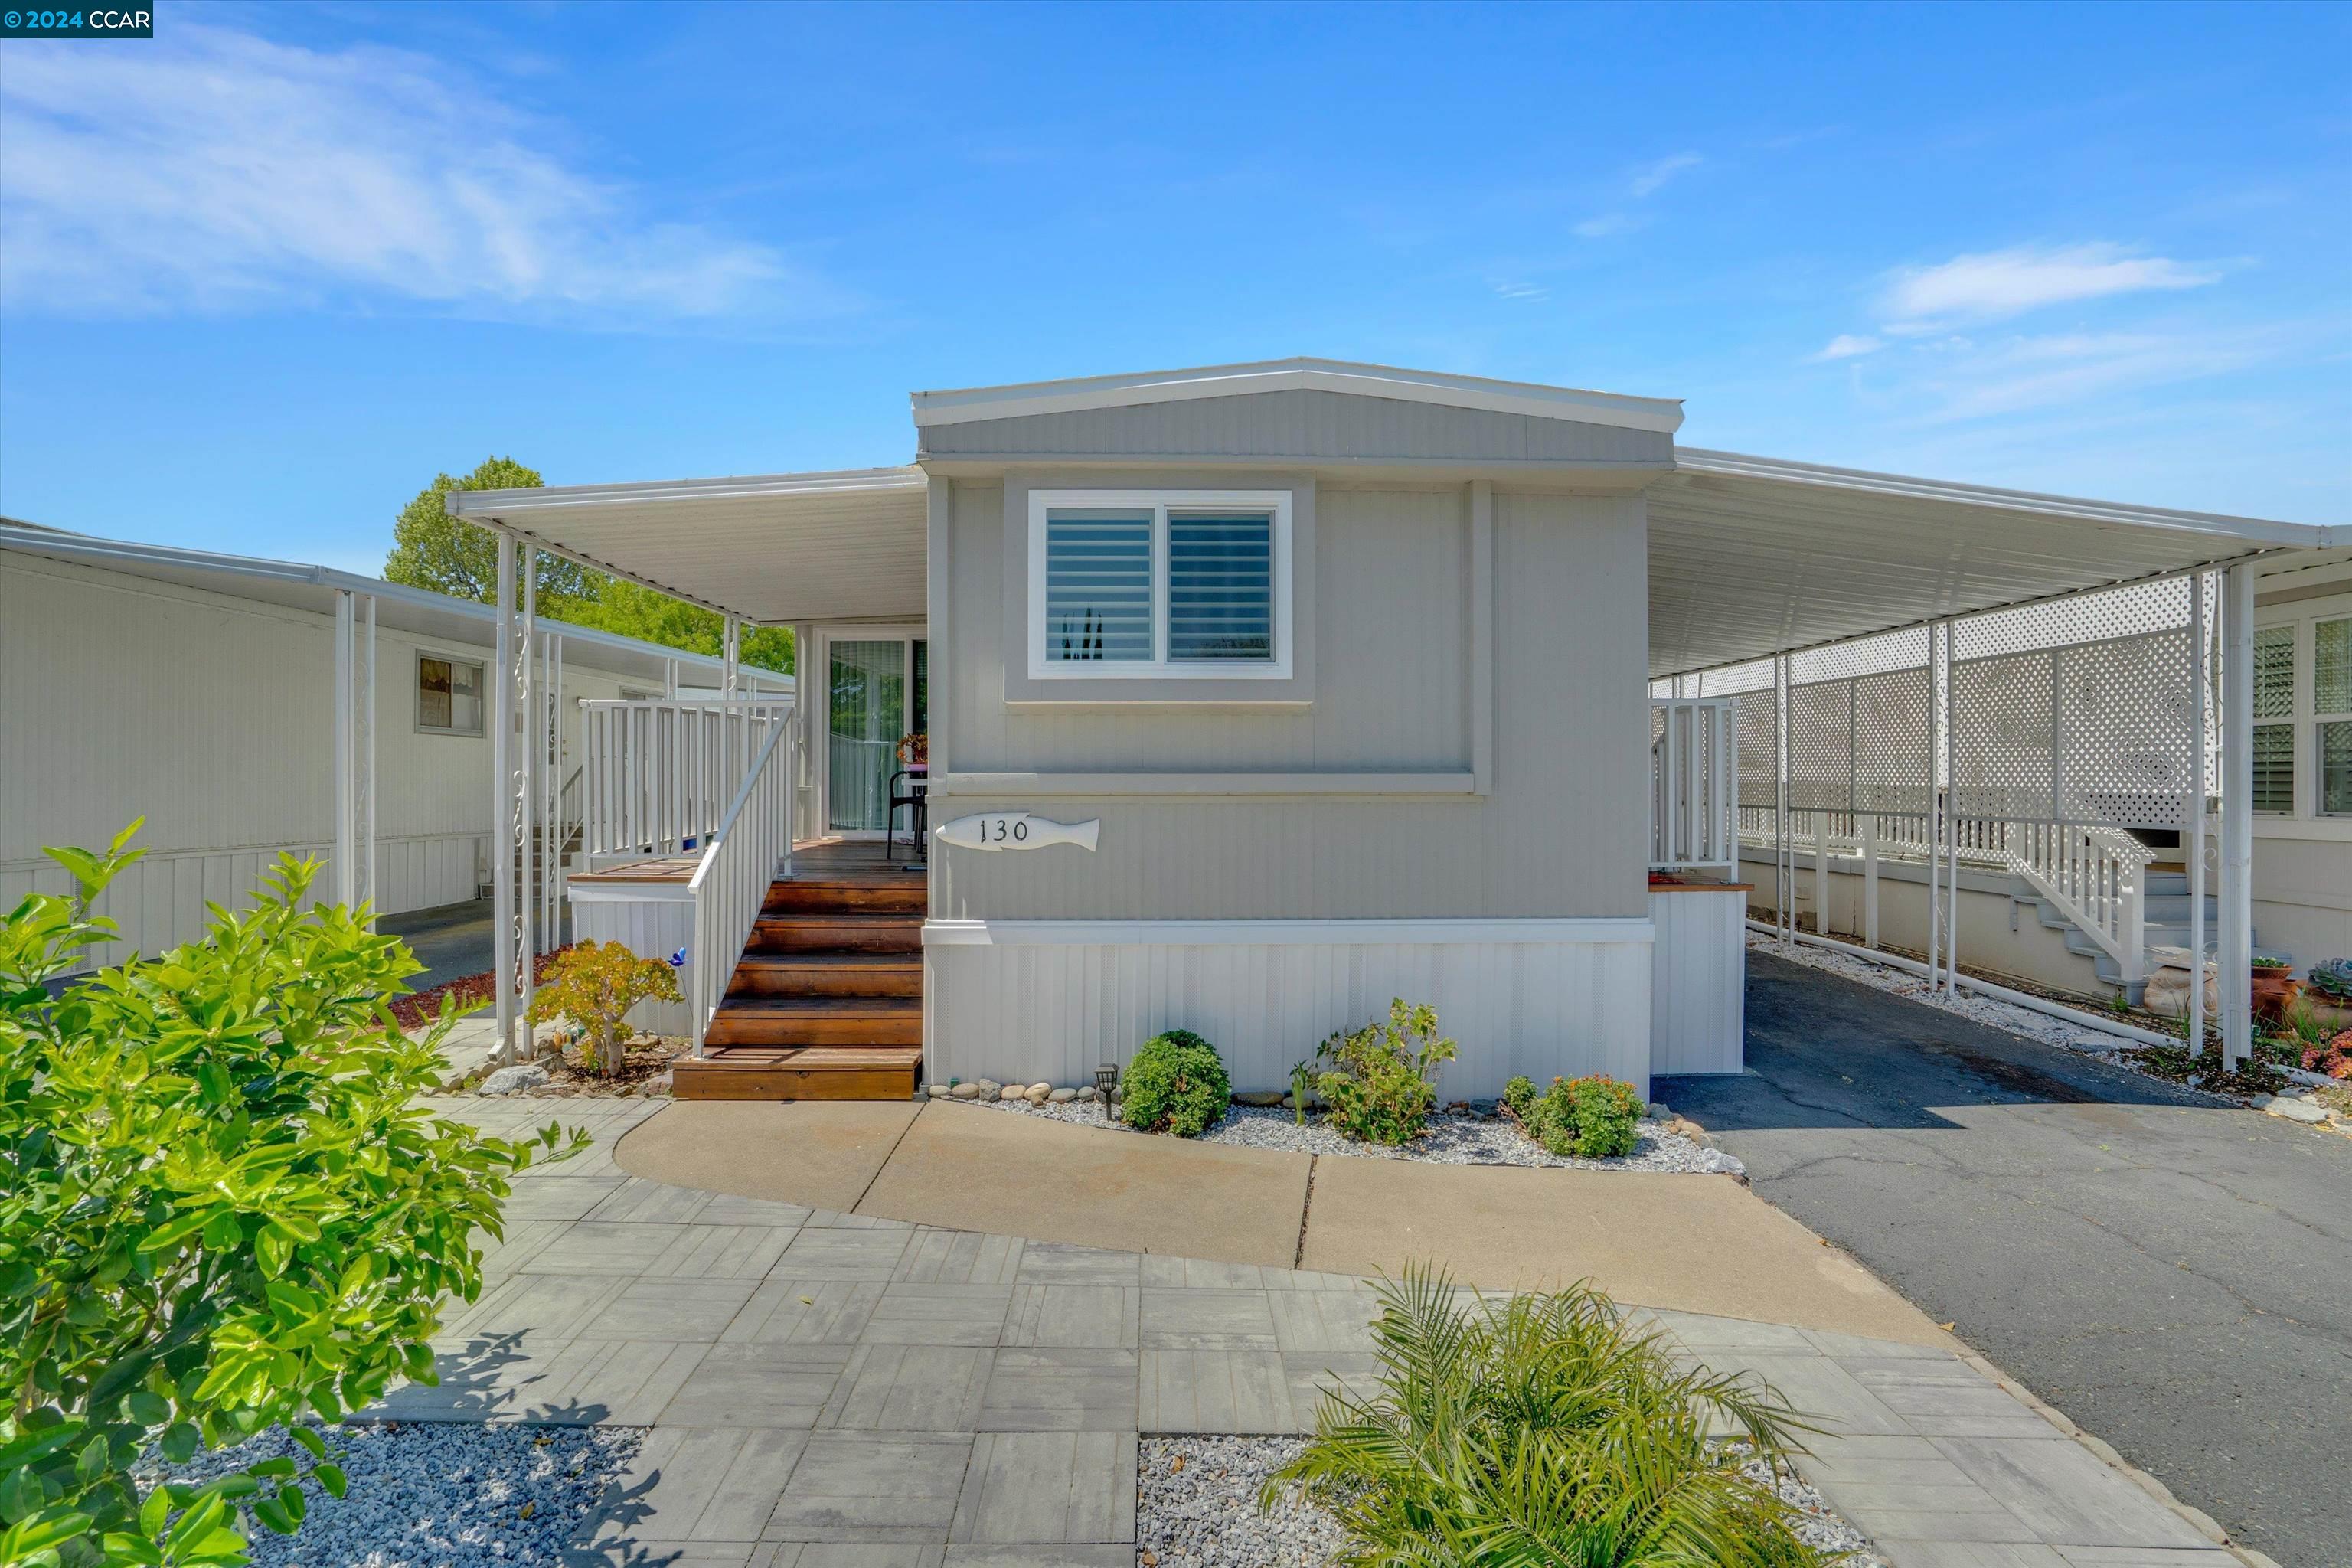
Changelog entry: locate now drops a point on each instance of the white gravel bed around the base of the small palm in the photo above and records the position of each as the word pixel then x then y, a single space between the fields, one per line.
pixel 1198 1503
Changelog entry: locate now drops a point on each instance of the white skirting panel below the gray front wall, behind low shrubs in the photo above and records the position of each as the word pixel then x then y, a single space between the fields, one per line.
pixel 1053 1000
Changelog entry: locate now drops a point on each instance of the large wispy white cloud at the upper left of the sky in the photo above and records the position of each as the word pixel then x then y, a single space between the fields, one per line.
pixel 218 170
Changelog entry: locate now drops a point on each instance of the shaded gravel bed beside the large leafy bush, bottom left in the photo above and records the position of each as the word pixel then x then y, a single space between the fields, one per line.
pixel 441 1494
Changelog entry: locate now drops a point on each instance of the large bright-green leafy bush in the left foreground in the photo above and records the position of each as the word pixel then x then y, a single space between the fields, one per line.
pixel 220 1214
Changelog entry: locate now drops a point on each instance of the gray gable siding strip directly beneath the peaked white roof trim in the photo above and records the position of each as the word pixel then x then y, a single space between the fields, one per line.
pixel 1325 427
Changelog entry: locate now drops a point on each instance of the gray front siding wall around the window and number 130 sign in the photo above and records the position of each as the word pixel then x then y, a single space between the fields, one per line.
pixel 1563 831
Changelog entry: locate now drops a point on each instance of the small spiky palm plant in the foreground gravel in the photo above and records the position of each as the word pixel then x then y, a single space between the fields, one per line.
pixel 1544 1430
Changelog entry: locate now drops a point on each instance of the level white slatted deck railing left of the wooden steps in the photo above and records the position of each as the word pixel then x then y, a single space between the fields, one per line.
pixel 662 772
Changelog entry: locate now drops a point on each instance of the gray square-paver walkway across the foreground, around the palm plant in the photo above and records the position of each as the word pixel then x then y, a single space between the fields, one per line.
pixel 831 1388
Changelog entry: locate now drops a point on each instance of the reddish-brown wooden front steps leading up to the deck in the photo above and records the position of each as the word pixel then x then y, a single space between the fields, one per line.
pixel 827 1000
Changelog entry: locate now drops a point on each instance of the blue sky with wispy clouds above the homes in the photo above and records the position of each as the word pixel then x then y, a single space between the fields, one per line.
pixel 265 276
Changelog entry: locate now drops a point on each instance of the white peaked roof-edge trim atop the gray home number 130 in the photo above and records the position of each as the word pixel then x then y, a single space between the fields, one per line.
pixel 965 406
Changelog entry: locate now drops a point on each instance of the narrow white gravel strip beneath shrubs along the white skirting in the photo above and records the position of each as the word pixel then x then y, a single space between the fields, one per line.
pixel 1452 1139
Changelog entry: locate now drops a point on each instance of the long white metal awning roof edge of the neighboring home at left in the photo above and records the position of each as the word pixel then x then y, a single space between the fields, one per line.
pixel 312 589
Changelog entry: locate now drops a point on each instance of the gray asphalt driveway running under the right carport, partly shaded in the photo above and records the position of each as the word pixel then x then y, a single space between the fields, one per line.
pixel 2170 1271
